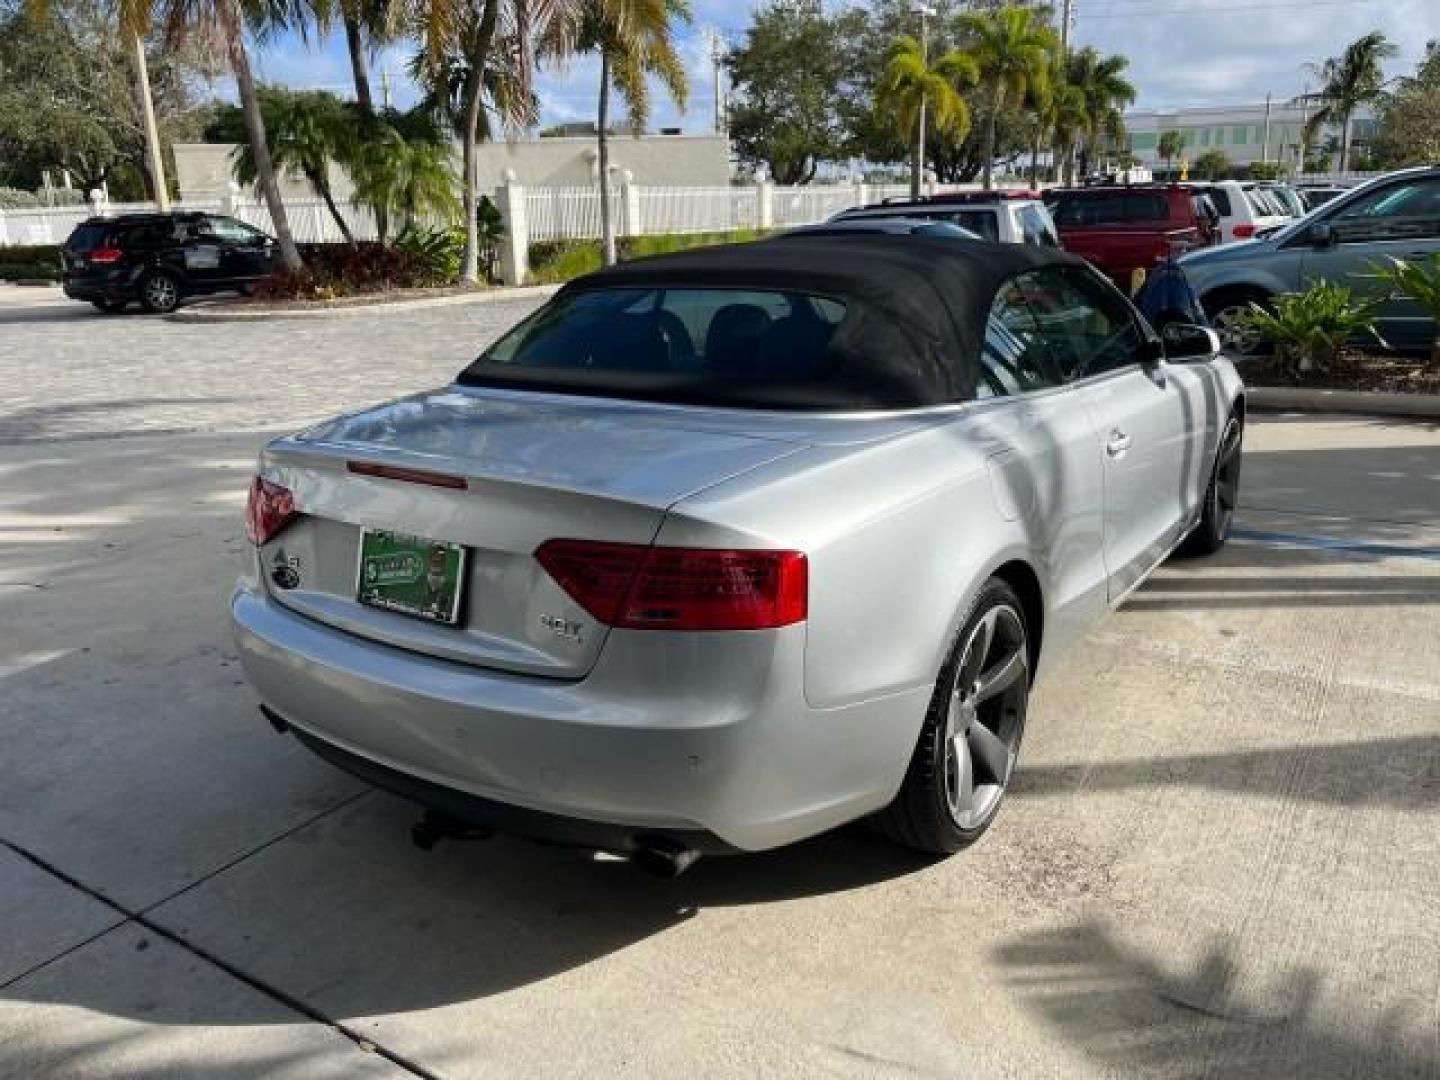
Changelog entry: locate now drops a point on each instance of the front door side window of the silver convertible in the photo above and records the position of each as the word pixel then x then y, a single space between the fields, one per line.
pixel 1085 325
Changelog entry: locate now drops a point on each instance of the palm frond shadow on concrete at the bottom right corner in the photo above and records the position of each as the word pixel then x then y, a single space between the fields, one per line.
pixel 1137 1016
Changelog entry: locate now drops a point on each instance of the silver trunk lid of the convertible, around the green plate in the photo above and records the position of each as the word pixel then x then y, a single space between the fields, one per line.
pixel 498 474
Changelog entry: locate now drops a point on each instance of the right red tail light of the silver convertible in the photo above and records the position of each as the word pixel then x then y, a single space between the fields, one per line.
pixel 680 588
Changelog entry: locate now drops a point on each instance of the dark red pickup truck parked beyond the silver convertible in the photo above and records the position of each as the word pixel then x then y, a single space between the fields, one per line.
pixel 1128 230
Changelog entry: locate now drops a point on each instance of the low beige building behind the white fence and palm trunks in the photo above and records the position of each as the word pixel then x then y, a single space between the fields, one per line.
pixel 204 169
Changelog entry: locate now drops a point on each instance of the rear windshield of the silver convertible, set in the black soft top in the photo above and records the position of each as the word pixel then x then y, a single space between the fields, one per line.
pixel 708 346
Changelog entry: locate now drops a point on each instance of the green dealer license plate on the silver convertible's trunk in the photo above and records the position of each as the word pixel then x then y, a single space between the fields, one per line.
pixel 411 575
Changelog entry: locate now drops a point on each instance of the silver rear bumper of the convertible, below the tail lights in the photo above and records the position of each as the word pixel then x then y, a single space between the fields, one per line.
pixel 673 735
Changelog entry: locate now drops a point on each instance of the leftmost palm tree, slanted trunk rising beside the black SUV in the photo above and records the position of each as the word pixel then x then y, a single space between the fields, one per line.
pixel 225 22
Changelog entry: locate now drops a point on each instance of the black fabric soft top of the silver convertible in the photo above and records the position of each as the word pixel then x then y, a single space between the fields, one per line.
pixel 940 292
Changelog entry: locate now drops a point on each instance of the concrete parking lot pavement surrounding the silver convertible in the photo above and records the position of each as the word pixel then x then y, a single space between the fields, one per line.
pixel 1220 859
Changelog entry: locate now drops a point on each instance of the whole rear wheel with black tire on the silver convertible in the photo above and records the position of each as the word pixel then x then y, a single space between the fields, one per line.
pixel 927 814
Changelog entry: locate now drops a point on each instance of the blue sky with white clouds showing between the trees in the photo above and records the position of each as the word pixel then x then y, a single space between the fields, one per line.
pixel 1183 53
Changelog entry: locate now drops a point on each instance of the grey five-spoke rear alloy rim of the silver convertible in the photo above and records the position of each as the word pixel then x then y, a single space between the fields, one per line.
pixel 987 716
